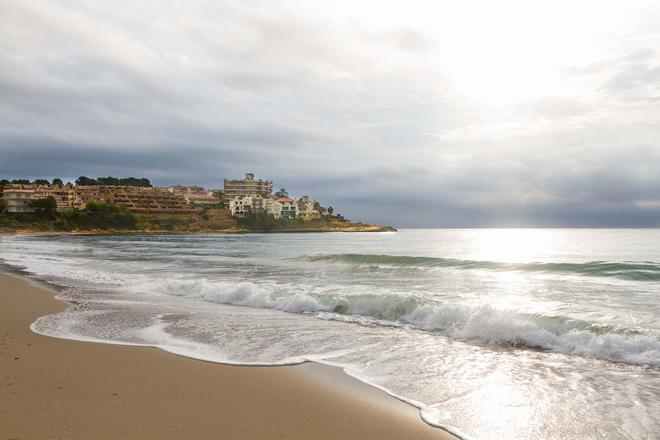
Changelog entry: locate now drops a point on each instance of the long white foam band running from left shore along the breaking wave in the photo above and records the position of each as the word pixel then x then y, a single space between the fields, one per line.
pixel 477 323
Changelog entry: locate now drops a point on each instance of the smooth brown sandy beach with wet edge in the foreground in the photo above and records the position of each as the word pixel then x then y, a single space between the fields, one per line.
pixel 63 389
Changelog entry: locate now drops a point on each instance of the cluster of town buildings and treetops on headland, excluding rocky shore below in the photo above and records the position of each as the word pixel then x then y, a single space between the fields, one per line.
pixel 242 197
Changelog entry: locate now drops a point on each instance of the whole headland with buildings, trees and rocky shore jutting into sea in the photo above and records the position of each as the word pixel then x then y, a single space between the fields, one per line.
pixel 134 204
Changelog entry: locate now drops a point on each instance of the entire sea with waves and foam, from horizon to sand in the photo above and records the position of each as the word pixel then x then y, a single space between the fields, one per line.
pixel 491 333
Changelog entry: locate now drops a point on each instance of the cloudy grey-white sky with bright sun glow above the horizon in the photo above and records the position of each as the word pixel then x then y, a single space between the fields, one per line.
pixel 415 114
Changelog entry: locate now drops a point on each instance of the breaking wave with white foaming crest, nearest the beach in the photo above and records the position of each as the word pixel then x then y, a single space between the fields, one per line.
pixel 482 324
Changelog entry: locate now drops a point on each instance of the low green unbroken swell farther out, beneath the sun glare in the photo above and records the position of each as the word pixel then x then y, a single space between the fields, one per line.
pixel 637 271
